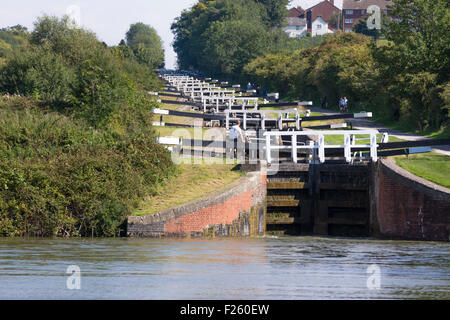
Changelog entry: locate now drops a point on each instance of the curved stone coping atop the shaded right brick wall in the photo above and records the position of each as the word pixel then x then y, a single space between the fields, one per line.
pixel 408 179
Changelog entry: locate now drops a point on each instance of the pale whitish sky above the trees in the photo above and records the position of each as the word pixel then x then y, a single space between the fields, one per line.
pixel 110 20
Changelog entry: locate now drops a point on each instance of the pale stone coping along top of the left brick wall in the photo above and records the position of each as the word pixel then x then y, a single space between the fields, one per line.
pixel 243 184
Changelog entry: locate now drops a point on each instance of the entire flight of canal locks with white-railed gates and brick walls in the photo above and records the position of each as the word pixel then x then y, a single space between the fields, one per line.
pixel 324 180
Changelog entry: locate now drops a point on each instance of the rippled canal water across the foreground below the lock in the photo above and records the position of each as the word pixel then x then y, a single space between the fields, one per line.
pixel 261 268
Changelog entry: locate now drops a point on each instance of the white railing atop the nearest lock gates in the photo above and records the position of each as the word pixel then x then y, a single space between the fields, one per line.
pixel 319 146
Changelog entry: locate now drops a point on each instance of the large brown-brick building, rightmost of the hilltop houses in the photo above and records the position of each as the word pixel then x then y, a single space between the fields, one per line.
pixel 353 10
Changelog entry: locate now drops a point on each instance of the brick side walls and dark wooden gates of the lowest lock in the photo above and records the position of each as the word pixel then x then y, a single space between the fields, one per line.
pixel 379 200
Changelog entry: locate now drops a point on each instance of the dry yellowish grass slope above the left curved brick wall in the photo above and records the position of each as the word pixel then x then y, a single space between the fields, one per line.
pixel 191 182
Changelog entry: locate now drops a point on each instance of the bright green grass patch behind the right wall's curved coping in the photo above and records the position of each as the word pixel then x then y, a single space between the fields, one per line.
pixel 431 166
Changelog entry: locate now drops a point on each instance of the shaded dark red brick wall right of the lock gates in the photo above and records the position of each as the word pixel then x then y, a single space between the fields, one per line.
pixel 407 211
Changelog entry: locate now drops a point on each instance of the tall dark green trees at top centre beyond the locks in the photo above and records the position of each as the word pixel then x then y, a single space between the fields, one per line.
pixel 220 37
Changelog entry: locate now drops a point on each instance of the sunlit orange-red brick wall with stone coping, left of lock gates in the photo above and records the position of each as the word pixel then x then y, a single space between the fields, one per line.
pixel 239 211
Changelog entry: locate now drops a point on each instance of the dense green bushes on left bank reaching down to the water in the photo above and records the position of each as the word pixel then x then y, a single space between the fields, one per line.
pixel 60 177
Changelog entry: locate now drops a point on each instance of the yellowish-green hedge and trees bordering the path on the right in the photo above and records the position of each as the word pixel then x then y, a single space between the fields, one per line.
pixel 405 81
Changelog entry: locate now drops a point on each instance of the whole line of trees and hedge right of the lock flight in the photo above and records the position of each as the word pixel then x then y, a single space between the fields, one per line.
pixel 404 78
